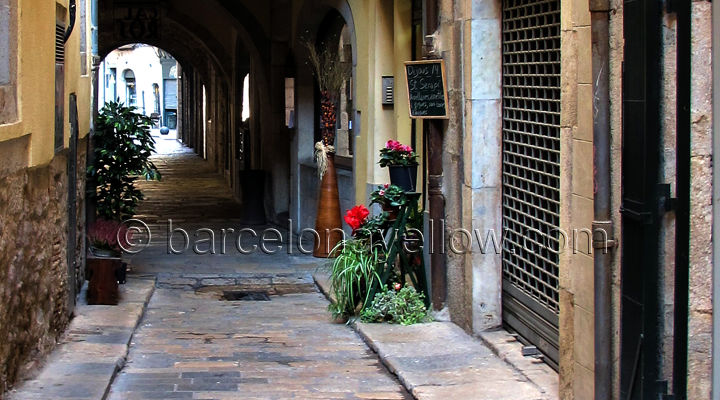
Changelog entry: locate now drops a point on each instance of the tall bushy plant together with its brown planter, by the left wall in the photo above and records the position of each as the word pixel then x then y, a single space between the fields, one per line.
pixel 122 149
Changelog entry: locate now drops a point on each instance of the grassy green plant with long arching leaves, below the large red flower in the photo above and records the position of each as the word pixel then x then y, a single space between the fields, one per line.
pixel 352 274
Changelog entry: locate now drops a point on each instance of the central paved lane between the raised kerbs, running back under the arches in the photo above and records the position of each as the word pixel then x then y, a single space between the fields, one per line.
pixel 194 345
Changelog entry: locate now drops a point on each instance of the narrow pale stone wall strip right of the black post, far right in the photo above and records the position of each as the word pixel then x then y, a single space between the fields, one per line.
pixel 700 313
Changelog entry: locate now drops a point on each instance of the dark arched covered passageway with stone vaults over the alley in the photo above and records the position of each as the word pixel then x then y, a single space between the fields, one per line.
pixel 236 55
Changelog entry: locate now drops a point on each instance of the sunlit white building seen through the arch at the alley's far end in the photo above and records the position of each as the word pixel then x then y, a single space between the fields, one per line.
pixel 143 76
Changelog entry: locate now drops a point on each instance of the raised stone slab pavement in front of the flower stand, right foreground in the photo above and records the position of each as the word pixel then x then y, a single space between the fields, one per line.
pixel 439 360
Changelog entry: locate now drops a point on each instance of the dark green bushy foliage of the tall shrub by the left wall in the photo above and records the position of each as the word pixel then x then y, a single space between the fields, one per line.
pixel 123 146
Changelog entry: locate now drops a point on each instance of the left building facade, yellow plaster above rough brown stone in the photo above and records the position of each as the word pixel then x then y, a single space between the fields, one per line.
pixel 45 98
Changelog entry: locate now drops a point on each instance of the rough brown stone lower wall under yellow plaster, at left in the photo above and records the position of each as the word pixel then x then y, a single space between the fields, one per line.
pixel 33 261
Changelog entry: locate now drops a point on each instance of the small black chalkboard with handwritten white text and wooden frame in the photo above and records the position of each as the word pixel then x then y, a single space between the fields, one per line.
pixel 426 88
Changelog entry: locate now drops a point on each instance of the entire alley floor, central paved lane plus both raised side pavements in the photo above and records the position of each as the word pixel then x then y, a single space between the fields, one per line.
pixel 190 344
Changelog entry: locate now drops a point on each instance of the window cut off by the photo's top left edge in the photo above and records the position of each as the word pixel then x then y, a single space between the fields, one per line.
pixel 8 61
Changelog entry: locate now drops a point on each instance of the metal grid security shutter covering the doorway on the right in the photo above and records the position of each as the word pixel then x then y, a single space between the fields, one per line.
pixel 531 169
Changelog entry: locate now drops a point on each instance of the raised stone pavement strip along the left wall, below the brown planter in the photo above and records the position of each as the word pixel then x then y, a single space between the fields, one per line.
pixel 93 348
